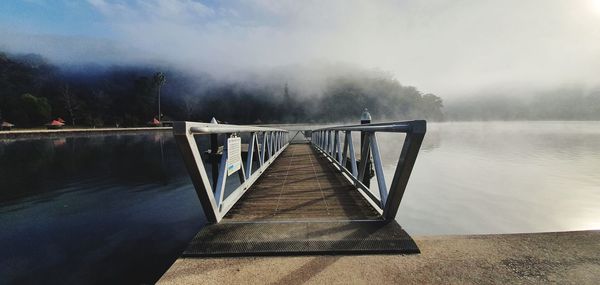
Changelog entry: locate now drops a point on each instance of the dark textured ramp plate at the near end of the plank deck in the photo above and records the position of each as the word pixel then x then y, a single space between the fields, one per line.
pixel 300 238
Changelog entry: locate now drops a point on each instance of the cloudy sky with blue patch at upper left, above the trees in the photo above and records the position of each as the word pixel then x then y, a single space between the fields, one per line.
pixel 447 47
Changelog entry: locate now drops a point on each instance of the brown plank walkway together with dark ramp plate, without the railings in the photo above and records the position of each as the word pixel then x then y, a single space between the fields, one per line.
pixel 301 205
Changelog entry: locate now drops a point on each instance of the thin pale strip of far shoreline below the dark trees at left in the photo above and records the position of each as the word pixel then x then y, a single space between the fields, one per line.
pixel 45 133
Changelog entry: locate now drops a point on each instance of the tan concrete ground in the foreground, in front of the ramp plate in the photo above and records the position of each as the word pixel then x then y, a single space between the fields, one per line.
pixel 563 258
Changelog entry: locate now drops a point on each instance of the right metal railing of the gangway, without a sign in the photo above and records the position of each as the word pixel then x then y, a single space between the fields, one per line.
pixel 338 151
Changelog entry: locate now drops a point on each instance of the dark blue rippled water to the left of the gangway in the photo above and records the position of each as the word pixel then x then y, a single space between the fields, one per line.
pixel 102 209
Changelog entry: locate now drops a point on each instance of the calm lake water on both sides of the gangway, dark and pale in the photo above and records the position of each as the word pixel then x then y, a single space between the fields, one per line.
pixel 121 208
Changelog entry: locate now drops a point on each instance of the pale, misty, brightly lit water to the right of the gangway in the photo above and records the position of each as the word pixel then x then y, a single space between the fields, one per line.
pixel 502 177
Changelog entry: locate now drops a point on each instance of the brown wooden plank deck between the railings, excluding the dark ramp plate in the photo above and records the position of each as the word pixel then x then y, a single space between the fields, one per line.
pixel 301 186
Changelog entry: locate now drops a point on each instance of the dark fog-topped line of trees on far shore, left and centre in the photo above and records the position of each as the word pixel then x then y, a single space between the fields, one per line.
pixel 34 91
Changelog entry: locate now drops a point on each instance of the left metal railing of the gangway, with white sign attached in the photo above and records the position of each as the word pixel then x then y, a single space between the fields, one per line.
pixel 266 143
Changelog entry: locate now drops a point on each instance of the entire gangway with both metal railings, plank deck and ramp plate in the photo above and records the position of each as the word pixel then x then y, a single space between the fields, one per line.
pixel 299 194
